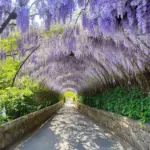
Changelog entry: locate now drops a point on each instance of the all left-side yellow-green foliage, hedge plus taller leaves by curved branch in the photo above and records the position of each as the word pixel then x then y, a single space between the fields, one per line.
pixel 27 96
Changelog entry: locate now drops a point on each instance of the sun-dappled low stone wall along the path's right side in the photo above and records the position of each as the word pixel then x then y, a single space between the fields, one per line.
pixel 133 132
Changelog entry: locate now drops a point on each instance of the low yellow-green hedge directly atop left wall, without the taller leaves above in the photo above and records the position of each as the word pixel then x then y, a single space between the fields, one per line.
pixel 19 102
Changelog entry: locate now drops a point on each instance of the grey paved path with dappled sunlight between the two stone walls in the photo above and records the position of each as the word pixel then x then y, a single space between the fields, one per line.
pixel 70 130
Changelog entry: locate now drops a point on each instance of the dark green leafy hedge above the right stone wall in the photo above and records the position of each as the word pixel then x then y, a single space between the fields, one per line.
pixel 129 102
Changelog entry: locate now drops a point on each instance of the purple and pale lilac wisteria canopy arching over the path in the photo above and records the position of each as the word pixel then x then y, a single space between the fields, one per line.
pixel 104 42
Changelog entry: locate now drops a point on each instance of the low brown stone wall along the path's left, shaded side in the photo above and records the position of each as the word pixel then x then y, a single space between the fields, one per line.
pixel 13 130
